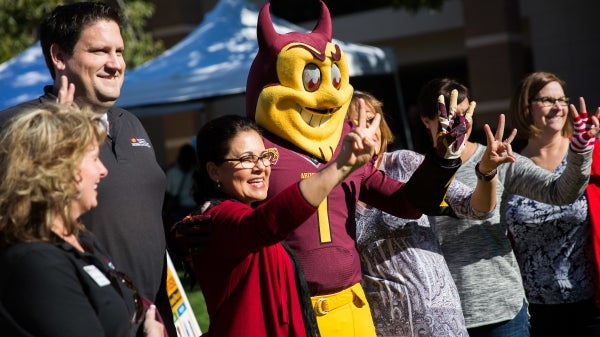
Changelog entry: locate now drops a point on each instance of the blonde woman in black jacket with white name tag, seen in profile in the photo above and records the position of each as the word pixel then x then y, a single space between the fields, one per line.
pixel 56 279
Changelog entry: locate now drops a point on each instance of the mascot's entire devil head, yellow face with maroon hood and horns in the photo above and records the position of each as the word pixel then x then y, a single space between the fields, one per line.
pixel 298 87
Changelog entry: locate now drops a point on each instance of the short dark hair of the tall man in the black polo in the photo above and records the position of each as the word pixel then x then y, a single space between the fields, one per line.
pixel 63 26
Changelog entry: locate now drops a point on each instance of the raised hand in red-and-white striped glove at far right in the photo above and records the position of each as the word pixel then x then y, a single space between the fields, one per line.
pixel 585 128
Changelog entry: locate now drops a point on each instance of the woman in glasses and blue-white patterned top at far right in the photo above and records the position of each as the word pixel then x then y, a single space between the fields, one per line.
pixel 553 244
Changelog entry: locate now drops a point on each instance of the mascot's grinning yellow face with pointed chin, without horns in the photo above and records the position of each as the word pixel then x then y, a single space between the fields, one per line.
pixel 308 106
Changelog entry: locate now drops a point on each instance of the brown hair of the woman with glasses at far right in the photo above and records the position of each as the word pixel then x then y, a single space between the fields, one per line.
pixel 520 114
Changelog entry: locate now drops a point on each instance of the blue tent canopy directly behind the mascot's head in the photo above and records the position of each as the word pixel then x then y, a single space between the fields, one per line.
pixel 216 57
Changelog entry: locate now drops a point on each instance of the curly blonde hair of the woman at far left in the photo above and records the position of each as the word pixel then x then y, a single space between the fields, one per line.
pixel 41 150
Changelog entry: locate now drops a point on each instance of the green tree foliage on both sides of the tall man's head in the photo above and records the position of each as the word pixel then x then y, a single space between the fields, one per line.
pixel 19 21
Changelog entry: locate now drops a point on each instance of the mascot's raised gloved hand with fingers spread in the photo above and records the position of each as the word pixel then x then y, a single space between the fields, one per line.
pixel 451 137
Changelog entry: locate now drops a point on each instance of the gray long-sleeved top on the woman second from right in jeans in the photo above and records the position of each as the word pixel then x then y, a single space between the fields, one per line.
pixel 478 252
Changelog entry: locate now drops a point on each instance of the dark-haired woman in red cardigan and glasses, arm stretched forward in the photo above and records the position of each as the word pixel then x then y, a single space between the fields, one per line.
pixel 250 280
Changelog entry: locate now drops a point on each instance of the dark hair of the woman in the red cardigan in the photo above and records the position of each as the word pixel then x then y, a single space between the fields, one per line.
pixel 212 144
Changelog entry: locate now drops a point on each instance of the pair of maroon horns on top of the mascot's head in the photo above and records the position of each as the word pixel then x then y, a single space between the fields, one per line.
pixel 267 36
